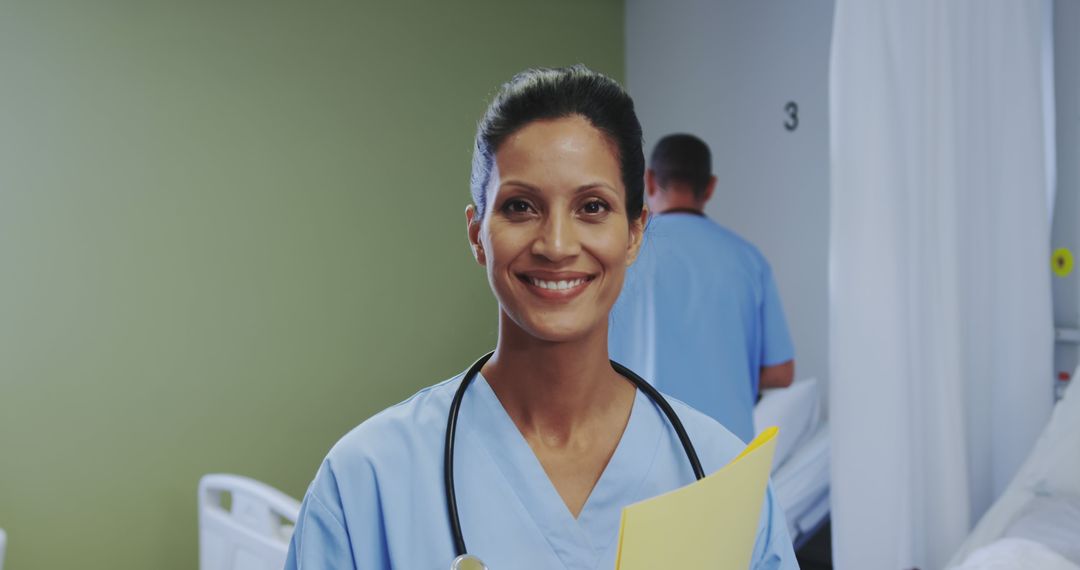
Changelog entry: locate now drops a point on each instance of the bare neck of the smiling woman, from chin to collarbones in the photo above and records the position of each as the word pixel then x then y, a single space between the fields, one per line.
pixel 556 390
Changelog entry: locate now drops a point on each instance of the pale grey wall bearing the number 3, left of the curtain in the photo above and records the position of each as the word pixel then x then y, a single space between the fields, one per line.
pixel 724 71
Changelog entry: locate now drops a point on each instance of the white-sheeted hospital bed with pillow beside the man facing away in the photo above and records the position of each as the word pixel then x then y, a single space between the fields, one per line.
pixel 801 466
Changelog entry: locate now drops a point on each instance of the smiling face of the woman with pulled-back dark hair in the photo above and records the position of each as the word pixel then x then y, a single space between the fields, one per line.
pixel 556 238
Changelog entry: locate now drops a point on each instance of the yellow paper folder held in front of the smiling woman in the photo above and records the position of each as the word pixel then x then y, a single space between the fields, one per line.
pixel 710 524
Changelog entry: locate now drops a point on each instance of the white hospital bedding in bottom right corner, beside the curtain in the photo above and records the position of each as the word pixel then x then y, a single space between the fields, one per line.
pixel 1036 523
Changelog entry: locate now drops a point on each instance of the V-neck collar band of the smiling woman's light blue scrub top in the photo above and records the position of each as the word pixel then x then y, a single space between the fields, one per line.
pixel 588 537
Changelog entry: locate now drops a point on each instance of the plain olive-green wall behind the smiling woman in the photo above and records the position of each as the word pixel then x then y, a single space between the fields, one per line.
pixel 229 233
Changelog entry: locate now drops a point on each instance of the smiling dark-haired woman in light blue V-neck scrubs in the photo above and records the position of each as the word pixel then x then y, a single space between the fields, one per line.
pixel 552 443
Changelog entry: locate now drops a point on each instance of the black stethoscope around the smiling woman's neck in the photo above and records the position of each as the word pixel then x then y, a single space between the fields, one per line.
pixel 468 562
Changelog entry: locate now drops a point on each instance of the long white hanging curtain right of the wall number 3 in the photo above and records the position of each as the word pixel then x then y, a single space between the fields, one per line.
pixel 941 333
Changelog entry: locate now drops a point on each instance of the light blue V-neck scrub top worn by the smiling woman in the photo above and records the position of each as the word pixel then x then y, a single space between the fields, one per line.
pixel 379 498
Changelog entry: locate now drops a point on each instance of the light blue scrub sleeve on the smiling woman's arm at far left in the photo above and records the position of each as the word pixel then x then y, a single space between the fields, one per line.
pixel 321 539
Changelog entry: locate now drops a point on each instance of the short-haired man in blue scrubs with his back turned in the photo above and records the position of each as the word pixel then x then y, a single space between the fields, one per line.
pixel 700 316
